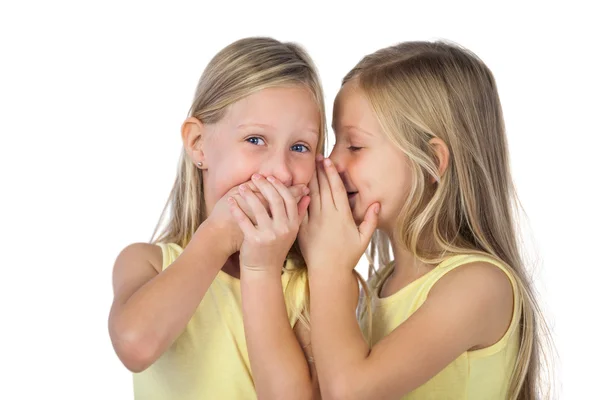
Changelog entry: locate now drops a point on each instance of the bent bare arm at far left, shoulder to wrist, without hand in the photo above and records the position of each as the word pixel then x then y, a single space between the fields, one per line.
pixel 152 307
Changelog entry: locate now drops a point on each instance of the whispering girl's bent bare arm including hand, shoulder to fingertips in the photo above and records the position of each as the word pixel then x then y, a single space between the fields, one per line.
pixel 468 308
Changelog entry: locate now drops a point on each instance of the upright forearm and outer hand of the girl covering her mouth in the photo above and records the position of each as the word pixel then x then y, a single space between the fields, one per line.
pixel 278 364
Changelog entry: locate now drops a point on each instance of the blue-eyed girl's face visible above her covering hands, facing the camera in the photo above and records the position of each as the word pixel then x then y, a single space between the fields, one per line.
pixel 274 131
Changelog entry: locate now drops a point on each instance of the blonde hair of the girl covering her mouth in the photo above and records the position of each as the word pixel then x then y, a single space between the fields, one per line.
pixel 240 69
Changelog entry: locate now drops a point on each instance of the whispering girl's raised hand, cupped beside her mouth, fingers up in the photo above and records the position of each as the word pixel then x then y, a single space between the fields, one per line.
pixel 329 237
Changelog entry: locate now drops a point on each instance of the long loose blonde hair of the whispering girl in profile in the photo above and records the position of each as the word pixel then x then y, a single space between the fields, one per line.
pixel 424 90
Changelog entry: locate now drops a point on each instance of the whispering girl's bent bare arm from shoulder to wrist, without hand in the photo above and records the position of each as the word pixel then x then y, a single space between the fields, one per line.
pixel 469 308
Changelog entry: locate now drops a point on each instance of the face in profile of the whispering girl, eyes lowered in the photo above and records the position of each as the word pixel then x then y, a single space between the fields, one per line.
pixel 372 167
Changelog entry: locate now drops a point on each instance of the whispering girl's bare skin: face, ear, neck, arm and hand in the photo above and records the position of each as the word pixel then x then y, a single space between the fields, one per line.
pixel 365 183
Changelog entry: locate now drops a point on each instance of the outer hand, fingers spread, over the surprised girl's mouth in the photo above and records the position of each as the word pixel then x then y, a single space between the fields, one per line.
pixel 266 244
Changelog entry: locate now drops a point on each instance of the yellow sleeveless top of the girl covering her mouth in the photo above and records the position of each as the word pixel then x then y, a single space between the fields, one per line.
pixel 209 360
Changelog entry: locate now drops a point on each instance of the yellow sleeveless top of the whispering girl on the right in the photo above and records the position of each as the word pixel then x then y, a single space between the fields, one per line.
pixel 479 374
